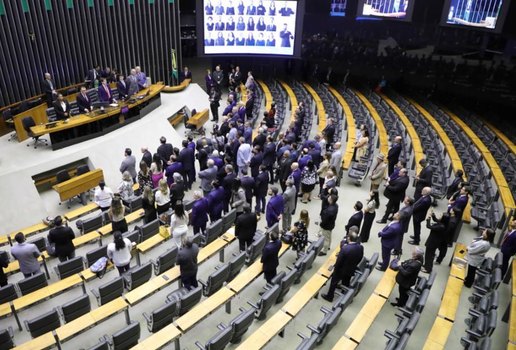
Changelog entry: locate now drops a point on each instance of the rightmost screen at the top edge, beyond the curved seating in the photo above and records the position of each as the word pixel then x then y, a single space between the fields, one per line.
pixel 479 14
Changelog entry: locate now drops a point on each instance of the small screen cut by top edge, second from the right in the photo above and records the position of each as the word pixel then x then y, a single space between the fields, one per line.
pixel 388 9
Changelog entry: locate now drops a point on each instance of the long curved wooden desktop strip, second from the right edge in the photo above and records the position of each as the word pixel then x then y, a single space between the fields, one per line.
pixel 501 182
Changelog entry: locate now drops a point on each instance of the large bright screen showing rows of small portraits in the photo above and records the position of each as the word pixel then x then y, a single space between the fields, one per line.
pixel 249 26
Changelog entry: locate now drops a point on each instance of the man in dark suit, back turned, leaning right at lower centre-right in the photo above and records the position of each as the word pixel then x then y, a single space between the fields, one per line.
pixel 349 256
